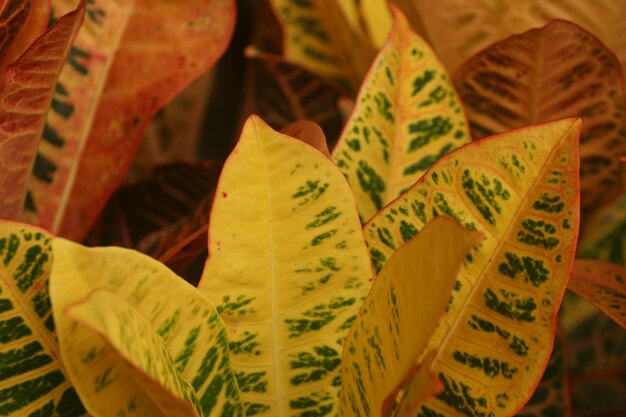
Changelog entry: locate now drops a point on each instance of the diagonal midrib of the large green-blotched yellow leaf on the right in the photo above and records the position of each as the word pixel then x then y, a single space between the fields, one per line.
pixel 454 324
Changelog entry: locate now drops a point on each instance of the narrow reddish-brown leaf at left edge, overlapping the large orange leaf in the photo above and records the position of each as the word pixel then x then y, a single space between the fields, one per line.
pixel 25 95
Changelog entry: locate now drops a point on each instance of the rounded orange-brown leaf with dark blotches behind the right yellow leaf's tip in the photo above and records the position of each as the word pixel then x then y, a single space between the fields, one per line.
pixel 547 74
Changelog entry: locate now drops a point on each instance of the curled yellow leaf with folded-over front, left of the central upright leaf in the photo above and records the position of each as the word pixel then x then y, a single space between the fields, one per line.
pixel 137 339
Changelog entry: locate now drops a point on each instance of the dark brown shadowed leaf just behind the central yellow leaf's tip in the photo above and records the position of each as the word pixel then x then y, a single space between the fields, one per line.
pixel 281 92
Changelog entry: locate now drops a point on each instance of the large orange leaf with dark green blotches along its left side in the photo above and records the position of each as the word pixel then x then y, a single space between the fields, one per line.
pixel 129 58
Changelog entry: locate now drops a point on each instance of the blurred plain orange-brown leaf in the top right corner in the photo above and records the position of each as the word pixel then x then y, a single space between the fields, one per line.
pixel 458 29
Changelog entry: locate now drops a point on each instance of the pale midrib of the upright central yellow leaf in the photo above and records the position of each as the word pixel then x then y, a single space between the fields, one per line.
pixel 270 231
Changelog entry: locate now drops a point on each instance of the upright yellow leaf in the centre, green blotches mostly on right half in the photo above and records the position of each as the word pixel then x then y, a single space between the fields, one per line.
pixel 289 270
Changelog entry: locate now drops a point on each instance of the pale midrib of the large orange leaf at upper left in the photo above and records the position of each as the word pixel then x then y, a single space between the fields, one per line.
pixel 86 128
